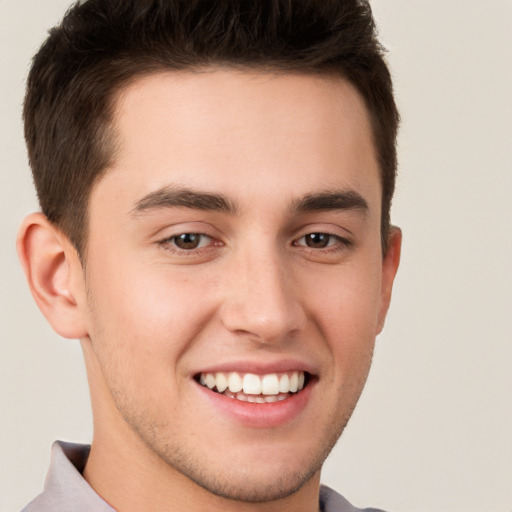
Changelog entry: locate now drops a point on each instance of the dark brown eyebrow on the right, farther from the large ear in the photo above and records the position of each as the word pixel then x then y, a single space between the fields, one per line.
pixel 331 200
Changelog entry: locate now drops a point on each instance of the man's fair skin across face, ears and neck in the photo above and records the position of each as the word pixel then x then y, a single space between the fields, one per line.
pixel 253 294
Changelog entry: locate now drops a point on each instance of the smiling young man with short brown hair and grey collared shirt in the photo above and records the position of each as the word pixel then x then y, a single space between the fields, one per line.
pixel 215 181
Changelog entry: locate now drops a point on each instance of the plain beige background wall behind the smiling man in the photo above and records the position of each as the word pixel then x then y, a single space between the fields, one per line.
pixel 433 431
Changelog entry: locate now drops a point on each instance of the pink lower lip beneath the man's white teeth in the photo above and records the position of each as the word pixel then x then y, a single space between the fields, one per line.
pixel 267 415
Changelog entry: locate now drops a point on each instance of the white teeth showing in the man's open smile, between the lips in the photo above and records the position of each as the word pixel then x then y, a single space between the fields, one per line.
pixel 249 387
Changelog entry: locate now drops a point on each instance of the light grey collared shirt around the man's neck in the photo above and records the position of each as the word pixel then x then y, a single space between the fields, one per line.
pixel 66 490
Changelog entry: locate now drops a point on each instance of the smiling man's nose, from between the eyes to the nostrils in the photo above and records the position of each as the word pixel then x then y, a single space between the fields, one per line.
pixel 261 298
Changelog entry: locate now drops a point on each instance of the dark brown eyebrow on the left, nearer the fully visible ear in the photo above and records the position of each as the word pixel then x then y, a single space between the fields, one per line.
pixel 179 197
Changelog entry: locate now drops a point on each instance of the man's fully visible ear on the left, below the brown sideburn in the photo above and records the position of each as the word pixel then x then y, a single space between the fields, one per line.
pixel 54 274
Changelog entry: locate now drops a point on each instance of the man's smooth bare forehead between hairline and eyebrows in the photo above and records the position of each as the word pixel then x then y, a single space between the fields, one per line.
pixel 227 129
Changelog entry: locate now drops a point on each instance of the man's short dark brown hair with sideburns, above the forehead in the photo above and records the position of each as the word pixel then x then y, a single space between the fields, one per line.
pixel 101 45
